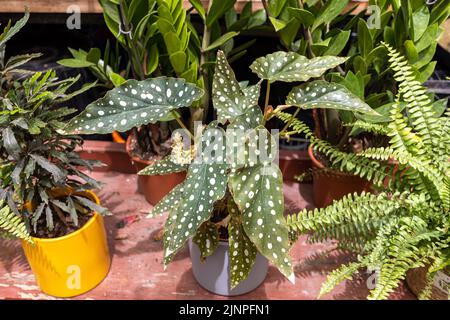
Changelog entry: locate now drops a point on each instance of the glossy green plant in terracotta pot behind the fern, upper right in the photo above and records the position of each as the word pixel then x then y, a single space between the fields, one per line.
pixel 325 28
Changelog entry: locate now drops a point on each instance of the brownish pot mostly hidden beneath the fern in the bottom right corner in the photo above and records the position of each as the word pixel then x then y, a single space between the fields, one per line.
pixel 416 281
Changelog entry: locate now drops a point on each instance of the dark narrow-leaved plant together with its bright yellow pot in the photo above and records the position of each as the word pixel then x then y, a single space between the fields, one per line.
pixel 46 198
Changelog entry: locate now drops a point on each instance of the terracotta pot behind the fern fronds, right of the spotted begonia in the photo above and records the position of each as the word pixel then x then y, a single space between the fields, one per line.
pixel 332 184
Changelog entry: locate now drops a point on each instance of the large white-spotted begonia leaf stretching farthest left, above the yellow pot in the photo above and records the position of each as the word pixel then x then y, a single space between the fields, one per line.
pixel 135 103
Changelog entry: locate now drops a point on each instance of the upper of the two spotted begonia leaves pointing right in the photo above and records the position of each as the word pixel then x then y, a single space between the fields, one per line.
pixel 292 67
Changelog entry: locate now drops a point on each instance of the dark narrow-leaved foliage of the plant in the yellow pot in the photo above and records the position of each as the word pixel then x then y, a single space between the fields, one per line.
pixel 37 160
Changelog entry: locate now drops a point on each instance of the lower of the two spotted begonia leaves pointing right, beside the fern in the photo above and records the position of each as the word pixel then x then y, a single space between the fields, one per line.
pixel 326 95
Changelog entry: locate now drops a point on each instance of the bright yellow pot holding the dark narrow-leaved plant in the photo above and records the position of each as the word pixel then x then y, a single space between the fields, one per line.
pixel 73 264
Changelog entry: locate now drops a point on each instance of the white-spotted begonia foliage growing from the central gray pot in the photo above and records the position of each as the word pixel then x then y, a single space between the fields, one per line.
pixel 233 190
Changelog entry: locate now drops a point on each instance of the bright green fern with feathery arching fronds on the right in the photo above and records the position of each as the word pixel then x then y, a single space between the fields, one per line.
pixel 405 224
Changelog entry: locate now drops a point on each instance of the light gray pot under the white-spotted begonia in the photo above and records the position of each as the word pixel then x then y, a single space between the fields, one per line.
pixel 213 273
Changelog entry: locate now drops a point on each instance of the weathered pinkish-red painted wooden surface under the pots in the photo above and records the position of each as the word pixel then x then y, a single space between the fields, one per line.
pixel 137 270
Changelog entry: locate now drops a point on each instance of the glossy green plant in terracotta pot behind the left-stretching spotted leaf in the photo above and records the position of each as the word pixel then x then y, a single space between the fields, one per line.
pixel 160 38
